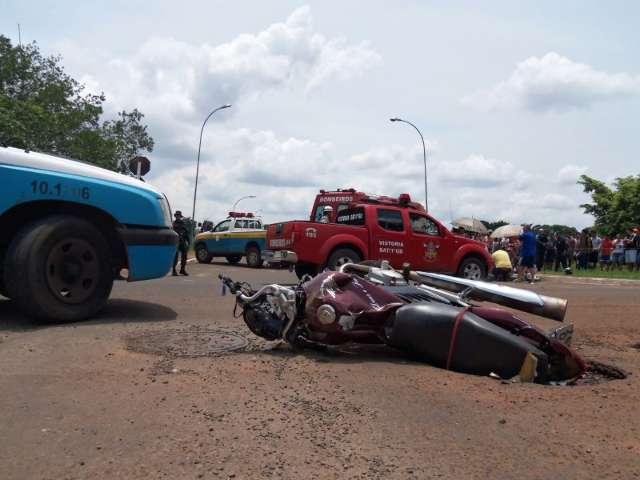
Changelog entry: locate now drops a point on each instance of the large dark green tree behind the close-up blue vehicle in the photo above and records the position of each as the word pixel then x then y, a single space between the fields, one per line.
pixel 44 109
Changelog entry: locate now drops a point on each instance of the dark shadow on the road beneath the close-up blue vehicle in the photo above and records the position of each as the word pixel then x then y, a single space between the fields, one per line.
pixel 116 310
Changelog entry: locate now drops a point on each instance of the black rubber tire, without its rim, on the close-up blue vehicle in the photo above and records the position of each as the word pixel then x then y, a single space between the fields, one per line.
pixel 25 268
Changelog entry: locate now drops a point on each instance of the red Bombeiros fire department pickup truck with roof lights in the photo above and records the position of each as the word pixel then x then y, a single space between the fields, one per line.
pixel 369 227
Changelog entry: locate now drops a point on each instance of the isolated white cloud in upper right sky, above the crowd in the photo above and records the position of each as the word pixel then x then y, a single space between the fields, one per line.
pixel 554 83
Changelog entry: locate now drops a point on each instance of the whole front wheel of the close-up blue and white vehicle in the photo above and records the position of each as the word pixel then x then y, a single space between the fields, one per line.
pixel 59 269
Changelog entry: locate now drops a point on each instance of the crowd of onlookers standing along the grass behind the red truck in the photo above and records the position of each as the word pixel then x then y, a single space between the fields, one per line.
pixel 540 250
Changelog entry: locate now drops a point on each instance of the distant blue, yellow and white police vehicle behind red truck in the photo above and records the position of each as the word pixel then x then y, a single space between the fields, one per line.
pixel 240 235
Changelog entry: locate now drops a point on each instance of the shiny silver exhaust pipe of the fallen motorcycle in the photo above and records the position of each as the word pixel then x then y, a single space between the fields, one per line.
pixel 527 301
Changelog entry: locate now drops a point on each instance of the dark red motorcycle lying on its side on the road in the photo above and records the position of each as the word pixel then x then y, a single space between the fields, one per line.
pixel 432 317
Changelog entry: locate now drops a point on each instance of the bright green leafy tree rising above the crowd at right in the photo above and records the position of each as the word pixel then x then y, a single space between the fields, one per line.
pixel 616 209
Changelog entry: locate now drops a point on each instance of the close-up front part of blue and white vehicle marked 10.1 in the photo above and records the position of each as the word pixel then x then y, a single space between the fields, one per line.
pixel 68 229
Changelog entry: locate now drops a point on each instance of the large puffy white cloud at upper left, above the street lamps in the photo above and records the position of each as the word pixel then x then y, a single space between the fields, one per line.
pixel 177 81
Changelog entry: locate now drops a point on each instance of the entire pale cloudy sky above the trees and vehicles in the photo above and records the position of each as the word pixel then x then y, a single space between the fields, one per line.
pixel 515 99
